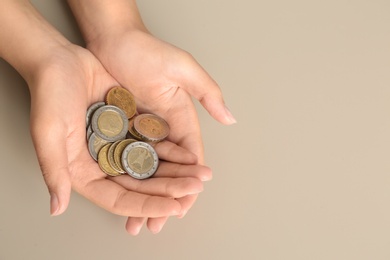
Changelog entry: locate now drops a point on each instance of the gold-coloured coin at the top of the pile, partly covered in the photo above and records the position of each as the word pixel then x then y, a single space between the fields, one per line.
pixel 122 98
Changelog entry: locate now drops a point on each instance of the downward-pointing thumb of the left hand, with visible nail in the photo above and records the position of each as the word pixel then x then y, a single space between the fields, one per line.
pixel 50 146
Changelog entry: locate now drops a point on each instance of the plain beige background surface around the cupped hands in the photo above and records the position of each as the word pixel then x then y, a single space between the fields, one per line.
pixel 305 174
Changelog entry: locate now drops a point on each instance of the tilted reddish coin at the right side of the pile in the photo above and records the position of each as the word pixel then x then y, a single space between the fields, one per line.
pixel 151 127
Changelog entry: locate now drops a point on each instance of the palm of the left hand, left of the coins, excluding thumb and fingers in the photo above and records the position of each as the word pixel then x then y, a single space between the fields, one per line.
pixel 73 87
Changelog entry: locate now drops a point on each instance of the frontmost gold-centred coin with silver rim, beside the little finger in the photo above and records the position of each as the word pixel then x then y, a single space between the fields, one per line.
pixel 140 160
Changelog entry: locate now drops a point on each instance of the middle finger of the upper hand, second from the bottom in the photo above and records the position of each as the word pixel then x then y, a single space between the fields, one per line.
pixel 164 187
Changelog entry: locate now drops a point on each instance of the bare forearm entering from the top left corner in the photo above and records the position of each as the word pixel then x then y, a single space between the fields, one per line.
pixel 27 39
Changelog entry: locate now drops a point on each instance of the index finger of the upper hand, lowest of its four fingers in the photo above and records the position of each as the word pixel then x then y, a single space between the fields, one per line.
pixel 118 200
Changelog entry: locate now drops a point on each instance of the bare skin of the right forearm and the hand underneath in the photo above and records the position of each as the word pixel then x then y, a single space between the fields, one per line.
pixel 162 77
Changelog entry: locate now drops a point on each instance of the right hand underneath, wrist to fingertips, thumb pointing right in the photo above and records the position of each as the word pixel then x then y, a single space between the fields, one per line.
pixel 162 78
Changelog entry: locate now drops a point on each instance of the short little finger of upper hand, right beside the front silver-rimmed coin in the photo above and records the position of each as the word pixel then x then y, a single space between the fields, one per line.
pixel 169 151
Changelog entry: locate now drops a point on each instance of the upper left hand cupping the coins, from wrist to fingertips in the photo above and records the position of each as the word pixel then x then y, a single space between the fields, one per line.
pixel 61 91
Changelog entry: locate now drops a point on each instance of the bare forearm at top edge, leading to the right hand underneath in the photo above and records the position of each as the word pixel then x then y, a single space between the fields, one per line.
pixel 98 18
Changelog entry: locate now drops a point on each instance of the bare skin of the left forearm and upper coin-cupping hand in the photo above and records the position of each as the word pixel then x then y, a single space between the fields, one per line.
pixel 64 79
